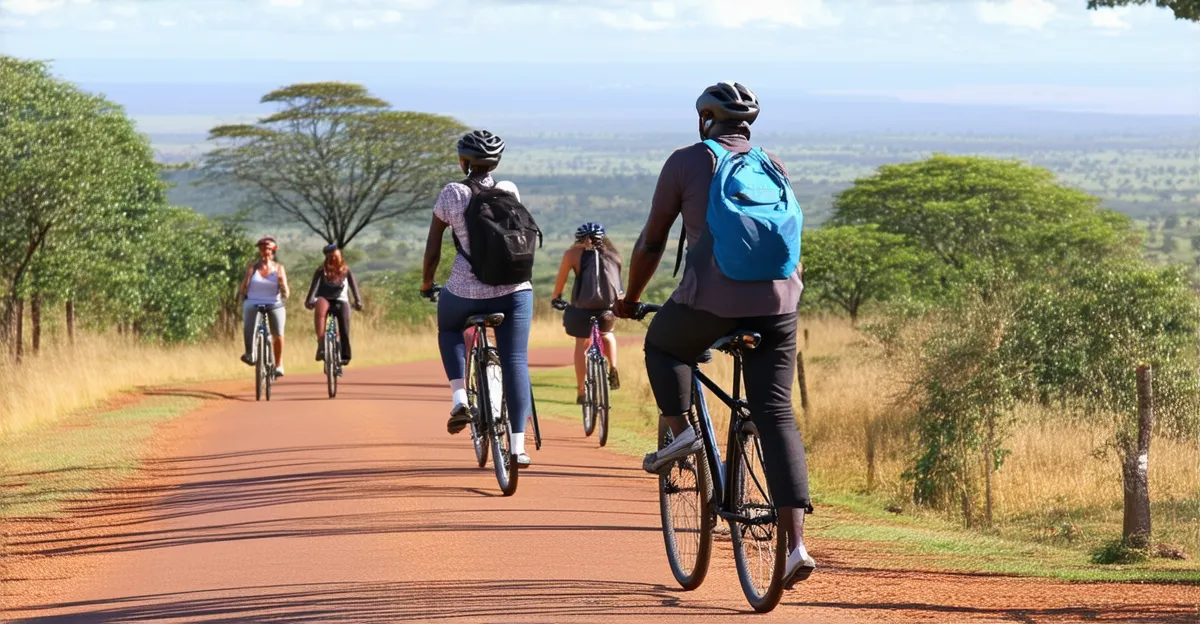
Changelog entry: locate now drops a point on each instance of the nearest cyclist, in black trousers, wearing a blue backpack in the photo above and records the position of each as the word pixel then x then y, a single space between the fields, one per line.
pixel 742 225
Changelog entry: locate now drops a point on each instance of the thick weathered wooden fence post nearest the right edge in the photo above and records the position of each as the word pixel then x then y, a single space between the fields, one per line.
pixel 1136 472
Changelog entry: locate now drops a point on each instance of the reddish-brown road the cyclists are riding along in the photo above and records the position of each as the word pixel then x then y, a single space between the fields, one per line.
pixel 363 509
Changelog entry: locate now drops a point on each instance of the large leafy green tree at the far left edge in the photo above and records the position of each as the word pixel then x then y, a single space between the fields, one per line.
pixel 75 177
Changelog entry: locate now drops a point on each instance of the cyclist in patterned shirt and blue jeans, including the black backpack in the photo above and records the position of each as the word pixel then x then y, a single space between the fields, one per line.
pixel 496 239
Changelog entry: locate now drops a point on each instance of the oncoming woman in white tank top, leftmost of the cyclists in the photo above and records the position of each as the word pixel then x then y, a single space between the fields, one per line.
pixel 266 285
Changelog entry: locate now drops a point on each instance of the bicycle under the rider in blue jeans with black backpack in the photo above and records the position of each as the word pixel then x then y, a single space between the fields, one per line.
pixel 490 422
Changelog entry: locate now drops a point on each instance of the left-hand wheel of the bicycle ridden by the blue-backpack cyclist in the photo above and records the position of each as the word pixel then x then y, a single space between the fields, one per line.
pixel 686 507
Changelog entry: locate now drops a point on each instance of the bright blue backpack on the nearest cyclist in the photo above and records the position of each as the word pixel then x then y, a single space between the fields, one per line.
pixel 754 219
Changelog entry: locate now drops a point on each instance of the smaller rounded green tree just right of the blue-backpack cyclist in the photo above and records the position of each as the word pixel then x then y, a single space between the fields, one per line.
pixel 853 266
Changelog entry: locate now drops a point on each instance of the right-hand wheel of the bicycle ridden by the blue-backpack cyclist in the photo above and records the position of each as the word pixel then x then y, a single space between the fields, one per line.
pixel 760 548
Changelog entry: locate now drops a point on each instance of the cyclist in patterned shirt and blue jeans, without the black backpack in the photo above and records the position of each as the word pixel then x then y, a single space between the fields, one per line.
pixel 465 295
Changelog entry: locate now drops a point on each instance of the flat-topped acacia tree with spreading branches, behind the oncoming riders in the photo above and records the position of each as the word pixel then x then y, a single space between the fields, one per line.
pixel 338 159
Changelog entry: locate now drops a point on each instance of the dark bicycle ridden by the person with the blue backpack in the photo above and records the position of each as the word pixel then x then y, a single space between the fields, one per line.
pixel 694 491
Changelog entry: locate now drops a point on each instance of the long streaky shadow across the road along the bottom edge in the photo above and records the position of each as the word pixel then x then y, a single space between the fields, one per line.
pixel 392 602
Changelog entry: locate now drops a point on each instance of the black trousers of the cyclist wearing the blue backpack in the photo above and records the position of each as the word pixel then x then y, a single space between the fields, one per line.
pixel 680 335
